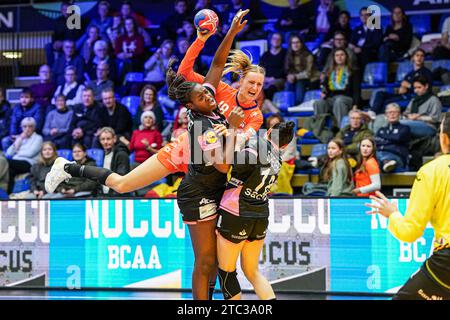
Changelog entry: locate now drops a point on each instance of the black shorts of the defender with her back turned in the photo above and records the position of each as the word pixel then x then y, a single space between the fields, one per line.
pixel 237 229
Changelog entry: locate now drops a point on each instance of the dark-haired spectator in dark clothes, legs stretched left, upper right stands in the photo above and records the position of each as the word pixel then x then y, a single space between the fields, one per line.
pixel 405 91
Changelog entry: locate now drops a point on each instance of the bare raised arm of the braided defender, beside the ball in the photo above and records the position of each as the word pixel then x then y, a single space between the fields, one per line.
pixel 215 71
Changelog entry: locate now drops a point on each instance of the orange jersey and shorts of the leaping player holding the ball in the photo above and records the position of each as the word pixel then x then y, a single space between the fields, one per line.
pixel 175 155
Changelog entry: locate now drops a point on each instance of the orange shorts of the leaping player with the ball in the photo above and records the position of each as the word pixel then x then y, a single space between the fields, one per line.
pixel 175 155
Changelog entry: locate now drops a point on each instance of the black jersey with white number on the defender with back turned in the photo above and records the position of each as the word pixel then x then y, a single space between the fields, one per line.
pixel 255 170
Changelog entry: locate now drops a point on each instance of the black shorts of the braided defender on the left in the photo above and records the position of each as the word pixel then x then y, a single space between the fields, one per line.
pixel 195 208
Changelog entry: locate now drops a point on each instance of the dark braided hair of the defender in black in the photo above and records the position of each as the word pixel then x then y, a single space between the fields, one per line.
pixel 178 88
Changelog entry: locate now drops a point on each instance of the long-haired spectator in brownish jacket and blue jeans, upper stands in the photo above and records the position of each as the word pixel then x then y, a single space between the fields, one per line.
pixel 300 68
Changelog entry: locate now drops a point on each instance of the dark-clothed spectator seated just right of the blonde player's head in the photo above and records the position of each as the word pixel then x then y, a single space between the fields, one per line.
pixel 273 62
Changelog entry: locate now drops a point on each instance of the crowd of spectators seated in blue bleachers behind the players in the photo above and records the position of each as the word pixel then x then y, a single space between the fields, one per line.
pixel 102 99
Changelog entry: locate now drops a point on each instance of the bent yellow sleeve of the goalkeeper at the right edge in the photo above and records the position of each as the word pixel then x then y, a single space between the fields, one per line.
pixel 421 204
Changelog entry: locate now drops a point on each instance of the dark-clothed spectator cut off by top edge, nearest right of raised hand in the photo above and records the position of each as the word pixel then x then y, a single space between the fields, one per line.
pixel 295 17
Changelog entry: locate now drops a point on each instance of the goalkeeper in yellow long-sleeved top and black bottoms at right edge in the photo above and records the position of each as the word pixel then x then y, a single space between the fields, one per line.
pixel 429 202
